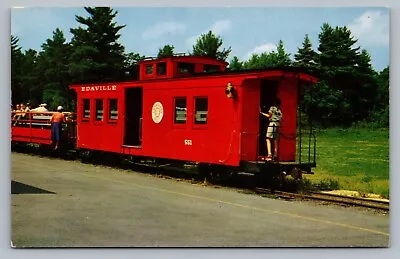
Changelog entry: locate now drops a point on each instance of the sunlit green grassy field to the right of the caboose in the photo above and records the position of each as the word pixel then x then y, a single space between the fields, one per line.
pixel 357 159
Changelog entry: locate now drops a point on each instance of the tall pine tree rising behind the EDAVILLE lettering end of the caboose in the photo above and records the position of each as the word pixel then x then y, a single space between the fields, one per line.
pixel 97 55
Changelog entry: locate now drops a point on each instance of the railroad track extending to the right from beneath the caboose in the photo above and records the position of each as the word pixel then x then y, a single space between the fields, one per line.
pixel 334 198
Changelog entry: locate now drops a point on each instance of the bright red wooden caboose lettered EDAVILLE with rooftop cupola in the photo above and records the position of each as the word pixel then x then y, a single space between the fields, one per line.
pixel 181 109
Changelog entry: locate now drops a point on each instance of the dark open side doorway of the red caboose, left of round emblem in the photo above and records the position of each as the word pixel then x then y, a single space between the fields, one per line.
pixel 133 116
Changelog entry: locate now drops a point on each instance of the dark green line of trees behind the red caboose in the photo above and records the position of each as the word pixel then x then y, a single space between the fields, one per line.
pixel 349 89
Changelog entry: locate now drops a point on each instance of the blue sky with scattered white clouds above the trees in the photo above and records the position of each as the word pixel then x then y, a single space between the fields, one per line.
pixel 246 30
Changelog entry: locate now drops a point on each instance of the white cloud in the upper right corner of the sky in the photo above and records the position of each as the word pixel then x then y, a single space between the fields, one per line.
pixel 371 28
